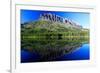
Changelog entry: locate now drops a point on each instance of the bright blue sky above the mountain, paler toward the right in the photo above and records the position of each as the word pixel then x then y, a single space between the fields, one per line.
pixel 82 18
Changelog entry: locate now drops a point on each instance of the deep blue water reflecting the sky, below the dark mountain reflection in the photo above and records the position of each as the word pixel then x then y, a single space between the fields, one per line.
pixel 80 53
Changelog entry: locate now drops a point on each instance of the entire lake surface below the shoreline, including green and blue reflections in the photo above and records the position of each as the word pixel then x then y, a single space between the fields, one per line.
pixel 33 50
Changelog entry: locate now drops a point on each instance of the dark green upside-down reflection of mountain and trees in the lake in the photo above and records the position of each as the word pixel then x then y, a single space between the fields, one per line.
pixel 50 47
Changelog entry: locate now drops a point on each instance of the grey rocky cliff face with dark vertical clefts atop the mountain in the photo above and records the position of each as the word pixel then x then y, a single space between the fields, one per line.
pixel 55 18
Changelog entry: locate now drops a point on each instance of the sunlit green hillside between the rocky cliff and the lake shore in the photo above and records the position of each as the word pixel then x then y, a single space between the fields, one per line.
pixel 43 27
